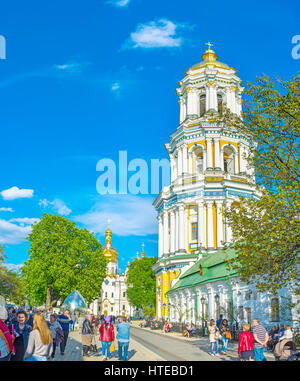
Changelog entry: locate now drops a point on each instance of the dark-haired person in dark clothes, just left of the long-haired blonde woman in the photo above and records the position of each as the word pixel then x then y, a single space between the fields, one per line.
pixel 20 331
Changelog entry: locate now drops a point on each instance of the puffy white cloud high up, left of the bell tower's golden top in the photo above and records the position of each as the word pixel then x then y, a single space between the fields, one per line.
pixel 155 34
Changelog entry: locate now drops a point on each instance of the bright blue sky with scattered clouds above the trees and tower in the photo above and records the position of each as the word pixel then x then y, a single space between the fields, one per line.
pixel 84 80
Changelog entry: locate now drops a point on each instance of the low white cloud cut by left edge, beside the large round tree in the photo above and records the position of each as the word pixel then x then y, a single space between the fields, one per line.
pixel 14 233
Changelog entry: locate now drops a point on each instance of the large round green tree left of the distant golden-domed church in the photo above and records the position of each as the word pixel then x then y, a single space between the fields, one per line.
pixel 62 258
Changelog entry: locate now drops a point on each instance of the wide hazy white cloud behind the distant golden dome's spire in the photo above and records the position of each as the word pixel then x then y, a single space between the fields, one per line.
pixel 129 215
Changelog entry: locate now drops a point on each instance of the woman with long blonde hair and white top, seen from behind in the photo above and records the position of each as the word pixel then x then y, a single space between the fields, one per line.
pixel 40 343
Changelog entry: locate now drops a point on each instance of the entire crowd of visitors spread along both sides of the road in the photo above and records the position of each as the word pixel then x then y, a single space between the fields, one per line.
pixel 35 336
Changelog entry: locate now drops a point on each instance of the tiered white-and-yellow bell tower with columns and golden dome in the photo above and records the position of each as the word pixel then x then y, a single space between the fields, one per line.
pixel 209 171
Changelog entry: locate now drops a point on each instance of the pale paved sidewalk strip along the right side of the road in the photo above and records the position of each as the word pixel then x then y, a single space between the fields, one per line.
pixel 202 343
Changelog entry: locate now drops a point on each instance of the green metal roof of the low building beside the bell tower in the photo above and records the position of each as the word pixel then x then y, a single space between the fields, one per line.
pixel 213 268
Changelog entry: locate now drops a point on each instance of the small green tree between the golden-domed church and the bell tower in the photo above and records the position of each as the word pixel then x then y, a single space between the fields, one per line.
pixel 141 283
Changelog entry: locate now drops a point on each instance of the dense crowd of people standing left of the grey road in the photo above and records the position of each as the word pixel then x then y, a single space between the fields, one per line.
pixel 35 336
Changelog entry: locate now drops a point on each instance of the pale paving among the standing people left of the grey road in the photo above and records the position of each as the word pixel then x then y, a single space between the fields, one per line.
pixel 73 352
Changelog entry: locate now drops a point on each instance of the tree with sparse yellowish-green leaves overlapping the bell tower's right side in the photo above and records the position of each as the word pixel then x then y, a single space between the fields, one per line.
pixel 266 232
